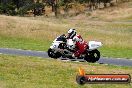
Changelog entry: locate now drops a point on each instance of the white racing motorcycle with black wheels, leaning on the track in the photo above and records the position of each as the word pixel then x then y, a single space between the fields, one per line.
pixel 63 47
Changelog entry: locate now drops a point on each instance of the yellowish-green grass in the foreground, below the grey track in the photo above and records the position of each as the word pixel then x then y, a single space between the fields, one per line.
pixel 31 72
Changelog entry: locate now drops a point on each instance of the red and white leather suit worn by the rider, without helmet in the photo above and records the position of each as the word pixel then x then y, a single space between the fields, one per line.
pixel 80 44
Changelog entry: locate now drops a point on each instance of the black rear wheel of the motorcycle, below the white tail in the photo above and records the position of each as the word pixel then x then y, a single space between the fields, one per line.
pixel 92 56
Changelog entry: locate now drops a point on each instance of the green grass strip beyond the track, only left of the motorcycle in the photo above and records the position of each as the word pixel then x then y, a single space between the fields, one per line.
pixel 24 43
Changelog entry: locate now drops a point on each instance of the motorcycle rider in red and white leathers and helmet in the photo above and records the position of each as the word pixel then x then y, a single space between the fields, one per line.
pixel 80 44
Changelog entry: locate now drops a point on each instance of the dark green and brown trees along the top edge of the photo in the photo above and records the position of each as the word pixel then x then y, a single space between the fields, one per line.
pixel 12 7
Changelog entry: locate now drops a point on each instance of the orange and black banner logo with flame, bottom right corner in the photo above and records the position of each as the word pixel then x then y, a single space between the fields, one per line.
pixel 83 78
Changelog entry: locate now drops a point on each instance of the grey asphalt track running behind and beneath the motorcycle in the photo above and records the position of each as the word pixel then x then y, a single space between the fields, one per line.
pixel 43 54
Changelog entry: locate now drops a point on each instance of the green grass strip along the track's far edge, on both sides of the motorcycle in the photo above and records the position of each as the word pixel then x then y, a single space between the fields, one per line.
pixel 30 44
